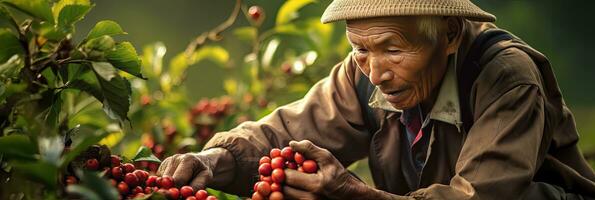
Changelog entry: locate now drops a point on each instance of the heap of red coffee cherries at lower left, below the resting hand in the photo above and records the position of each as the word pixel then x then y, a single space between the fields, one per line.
pixel 137 183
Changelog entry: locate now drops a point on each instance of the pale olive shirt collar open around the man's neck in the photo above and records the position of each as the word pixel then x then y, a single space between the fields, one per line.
pixel 445 109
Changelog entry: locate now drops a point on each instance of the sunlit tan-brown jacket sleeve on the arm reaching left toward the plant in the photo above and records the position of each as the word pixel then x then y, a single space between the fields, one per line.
pixel 329 115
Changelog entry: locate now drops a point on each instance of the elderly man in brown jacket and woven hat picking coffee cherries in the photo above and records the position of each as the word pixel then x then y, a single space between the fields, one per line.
pixel 444 105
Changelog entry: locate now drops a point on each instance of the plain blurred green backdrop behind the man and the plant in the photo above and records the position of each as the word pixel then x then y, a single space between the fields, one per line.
pixel 561 30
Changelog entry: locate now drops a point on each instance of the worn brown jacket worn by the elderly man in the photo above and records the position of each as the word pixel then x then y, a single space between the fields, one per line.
pixel 522 143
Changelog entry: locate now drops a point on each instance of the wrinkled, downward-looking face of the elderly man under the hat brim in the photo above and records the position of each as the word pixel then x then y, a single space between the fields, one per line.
pixel 405 64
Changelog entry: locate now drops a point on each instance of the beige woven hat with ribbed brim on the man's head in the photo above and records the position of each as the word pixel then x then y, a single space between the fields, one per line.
pixel 359 9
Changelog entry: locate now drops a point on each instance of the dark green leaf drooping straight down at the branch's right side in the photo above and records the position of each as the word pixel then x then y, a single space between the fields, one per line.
pixel 115 89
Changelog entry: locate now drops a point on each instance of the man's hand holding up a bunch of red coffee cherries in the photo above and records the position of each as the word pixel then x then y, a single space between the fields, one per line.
pixel 331 181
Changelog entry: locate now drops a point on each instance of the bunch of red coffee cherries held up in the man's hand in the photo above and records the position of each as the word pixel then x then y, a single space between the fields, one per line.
pixel 272 175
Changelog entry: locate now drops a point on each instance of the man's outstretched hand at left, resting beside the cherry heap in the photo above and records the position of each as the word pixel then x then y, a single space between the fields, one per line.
pixel 199 169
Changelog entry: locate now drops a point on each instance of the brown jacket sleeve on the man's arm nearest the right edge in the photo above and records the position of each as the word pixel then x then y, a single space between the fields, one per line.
pixel 507 141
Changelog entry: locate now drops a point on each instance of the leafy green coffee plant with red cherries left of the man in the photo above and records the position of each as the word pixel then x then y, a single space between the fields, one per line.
pixel 68 107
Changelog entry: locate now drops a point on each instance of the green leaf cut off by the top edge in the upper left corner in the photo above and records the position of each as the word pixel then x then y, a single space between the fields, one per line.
pixel 36 8
